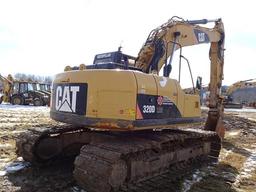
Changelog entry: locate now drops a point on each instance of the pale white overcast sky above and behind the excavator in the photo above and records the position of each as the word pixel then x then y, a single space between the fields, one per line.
pixel 42 37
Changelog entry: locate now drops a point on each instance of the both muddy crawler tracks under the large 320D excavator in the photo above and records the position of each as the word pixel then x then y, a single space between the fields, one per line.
pixel 119 161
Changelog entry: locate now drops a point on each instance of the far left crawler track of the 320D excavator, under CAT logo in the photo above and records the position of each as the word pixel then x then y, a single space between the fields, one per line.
pixel 45 145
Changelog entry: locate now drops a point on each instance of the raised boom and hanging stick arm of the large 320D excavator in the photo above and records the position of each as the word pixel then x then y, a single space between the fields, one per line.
pixel 164 40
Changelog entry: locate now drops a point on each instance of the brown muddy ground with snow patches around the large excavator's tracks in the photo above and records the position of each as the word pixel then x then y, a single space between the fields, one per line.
pixel 235 171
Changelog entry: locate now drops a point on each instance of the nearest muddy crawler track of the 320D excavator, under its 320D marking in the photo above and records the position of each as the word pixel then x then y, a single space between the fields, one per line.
pixel 119 160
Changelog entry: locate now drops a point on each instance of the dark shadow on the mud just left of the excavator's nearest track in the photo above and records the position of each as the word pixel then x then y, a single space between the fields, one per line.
pixel 52 178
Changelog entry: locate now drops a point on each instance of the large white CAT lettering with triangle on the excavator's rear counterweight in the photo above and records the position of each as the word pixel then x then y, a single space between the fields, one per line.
pixel 66 98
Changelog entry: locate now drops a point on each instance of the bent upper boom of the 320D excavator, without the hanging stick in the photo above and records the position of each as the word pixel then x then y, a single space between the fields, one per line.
pixel 164 40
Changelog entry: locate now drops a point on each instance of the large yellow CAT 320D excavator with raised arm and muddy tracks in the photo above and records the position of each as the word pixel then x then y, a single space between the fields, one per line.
pixel 124 120
